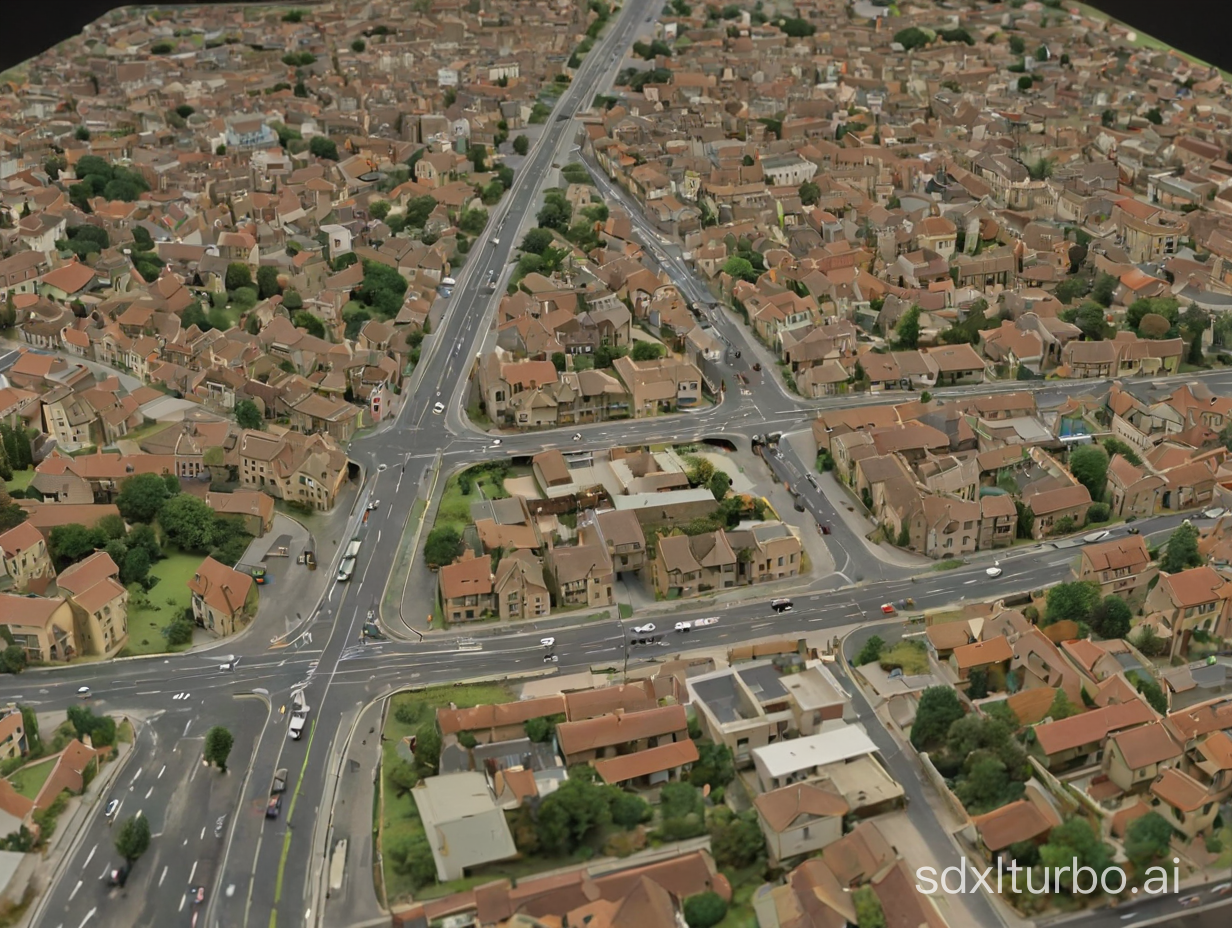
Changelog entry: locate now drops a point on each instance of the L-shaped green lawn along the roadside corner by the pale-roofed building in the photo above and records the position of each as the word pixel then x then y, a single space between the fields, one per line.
pixel 400 820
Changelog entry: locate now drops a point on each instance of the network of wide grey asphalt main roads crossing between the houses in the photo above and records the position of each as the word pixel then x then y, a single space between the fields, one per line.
pixel 211 828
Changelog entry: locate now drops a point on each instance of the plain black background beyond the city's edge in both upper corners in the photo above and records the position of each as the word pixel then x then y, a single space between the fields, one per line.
pixel 30 28
